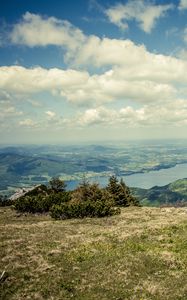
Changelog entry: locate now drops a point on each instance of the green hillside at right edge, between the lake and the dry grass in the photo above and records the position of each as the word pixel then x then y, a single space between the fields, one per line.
pixel 168 194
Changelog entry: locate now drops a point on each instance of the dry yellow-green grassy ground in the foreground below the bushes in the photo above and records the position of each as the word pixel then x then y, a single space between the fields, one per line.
pixel 140 254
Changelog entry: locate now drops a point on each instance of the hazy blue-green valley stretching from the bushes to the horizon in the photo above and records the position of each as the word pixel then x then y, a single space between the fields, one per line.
pixel 23 166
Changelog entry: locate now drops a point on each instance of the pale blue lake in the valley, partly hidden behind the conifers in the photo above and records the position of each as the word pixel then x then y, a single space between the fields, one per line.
pixel 144 180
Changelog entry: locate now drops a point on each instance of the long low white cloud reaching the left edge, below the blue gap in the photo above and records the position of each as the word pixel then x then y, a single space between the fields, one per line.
pixel 22 80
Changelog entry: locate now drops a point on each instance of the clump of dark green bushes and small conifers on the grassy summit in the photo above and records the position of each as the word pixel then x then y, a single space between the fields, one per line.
pixel 87 200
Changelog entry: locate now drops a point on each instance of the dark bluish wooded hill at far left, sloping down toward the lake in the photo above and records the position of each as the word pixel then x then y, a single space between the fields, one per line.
pixel 21 169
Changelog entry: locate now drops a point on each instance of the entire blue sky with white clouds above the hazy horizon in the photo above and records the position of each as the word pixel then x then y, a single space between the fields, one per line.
pixel 92 70
